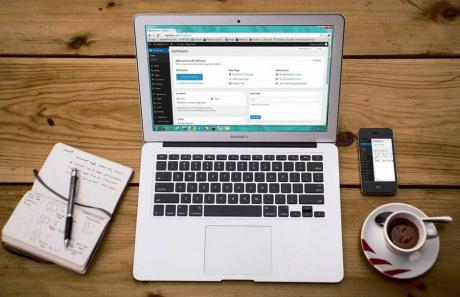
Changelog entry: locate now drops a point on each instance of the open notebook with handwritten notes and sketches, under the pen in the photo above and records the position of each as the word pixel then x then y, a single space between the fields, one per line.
pixel 36 227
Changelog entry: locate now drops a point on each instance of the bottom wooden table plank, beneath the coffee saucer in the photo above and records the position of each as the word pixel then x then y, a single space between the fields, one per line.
pixel 111 271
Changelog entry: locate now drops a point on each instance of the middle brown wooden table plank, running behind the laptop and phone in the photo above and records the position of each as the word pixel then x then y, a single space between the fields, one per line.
pixel 93 104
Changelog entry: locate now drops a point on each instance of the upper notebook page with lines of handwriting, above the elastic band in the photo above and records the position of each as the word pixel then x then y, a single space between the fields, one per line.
pixel 100 183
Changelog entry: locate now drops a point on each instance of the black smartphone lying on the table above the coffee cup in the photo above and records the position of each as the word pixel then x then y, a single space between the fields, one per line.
pixel 377 161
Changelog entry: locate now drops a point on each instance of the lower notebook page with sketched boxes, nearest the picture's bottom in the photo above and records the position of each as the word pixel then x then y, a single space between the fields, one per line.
pixel 38 221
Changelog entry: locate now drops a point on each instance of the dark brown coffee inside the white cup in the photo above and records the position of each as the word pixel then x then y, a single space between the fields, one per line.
pixel 403 233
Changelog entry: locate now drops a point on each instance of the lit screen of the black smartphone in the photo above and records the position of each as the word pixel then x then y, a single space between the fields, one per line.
pixel 377 160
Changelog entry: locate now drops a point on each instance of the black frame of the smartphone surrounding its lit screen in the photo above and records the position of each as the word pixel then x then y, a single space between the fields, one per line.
pixel 378 187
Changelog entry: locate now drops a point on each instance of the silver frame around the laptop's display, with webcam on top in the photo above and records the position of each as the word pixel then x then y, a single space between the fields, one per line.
pixel 142 20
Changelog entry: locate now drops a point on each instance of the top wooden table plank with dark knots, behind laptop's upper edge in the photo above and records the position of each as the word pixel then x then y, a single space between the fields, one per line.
pixel 78 27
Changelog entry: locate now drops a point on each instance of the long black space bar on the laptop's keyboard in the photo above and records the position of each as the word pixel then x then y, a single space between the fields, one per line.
pixel 233 210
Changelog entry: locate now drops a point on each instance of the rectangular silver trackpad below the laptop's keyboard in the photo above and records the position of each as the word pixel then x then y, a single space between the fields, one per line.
pixel 238 250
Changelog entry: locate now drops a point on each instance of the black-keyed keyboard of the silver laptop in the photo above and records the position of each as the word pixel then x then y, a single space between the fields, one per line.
pixel 256 185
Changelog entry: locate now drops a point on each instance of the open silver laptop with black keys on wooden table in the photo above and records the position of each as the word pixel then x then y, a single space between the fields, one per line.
pixel 239 175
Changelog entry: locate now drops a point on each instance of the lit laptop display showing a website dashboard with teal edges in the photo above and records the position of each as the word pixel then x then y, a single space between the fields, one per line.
pixel 239 78
